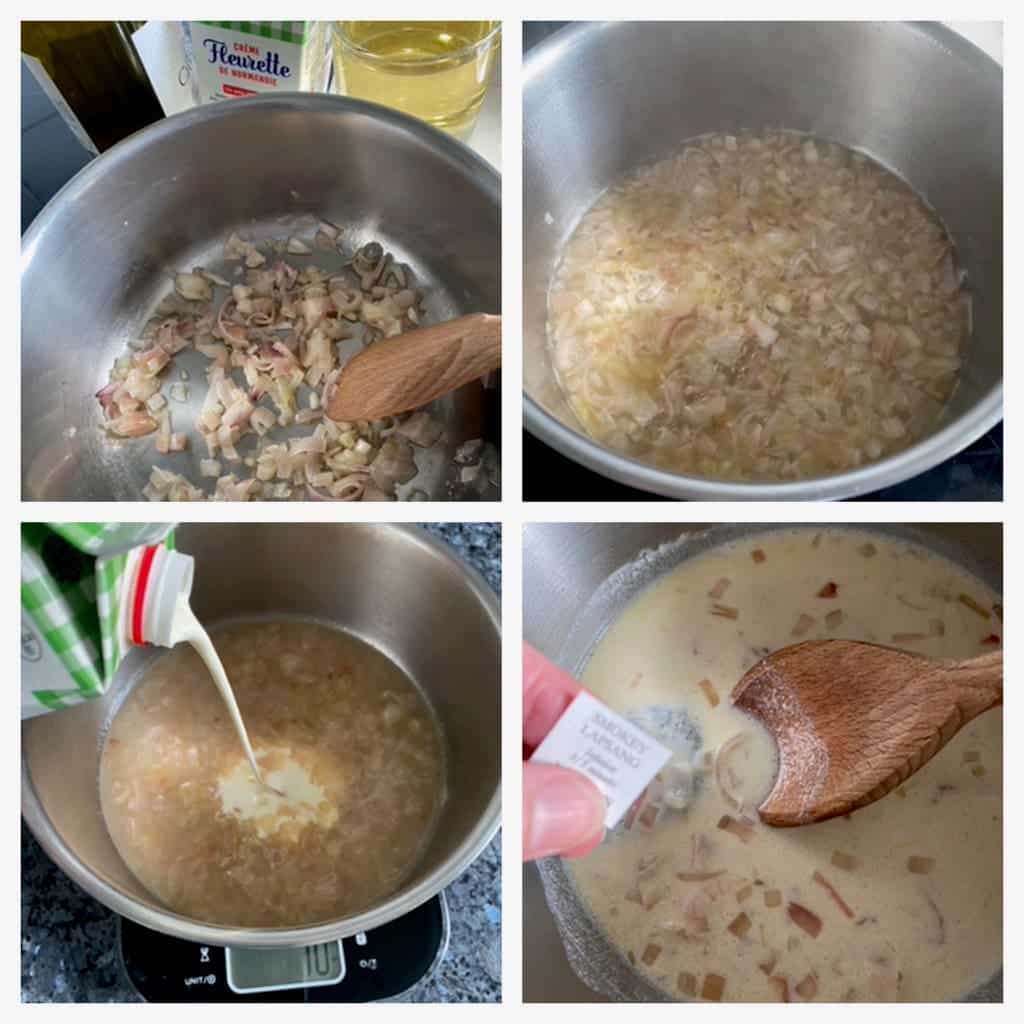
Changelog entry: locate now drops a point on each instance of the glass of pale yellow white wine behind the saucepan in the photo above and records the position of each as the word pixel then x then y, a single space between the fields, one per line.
pixel 436 71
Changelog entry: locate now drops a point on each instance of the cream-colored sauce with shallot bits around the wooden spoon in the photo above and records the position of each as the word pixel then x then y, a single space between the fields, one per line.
pixel 905 935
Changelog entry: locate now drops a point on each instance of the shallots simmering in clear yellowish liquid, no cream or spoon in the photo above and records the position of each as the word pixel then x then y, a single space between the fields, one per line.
pixel 758 309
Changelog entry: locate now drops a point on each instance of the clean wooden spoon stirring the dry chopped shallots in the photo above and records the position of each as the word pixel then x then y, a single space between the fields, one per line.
pixel 407 372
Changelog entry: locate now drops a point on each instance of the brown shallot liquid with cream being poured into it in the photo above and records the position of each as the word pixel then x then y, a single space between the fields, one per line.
pixel 338 731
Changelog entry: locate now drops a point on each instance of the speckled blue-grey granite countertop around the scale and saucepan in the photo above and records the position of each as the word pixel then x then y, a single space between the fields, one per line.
pixel 69 941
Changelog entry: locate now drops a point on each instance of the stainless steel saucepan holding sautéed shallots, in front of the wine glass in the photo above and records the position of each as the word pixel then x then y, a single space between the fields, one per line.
pixel 102 255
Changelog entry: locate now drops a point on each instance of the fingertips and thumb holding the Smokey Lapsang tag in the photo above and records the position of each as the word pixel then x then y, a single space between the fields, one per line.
pixel 563 810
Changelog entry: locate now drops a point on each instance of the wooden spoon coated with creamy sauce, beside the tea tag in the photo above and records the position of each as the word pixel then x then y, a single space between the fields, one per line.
pixel 854 721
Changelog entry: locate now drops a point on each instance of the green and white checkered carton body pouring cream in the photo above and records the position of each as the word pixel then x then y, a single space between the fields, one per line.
pixel 72 584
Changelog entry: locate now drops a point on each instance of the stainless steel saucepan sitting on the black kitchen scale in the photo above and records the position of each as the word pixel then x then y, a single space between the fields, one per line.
pixel 396 588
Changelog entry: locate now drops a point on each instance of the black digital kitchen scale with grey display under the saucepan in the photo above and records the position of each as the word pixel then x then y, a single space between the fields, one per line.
pixel 365 968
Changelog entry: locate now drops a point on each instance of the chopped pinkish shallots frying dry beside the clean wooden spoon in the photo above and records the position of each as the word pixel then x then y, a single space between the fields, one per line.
pixel 271 337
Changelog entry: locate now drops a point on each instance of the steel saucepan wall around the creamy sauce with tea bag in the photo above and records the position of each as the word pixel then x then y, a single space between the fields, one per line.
pixel 570 605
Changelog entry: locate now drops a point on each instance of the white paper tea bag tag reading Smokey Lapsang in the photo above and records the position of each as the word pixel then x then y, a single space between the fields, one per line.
pixel 610 750
